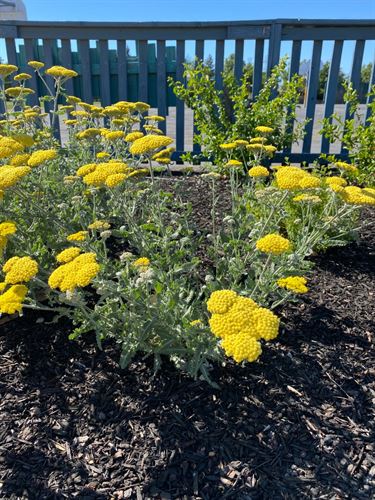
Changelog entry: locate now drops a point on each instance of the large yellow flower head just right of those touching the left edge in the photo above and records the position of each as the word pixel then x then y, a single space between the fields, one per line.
pixel 78 272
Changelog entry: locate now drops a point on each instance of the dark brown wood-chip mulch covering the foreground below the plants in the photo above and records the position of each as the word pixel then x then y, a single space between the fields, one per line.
pixel 297 424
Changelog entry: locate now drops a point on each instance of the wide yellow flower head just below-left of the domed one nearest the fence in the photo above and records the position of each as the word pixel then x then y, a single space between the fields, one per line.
pixel 106 173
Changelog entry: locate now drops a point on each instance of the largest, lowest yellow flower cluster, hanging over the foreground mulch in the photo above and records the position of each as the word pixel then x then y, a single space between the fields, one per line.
pixel 240 323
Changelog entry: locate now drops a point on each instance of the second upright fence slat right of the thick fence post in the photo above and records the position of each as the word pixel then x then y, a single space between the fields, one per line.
pixel 312 94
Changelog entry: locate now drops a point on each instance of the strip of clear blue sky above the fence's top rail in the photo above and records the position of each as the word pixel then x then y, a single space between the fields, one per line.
pixel 196 10
